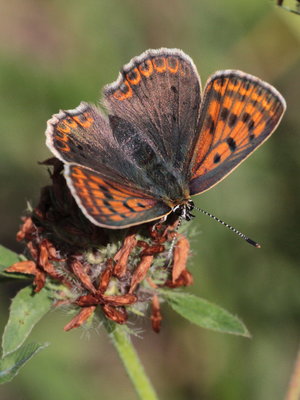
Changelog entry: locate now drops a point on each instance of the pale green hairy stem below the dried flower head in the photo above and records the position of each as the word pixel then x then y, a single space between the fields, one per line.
pixel 121 341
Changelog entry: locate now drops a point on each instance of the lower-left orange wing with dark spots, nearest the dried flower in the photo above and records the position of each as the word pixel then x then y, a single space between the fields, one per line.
pixel 110 204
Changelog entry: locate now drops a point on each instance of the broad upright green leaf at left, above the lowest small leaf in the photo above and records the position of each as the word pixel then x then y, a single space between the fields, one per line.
pixel 26 309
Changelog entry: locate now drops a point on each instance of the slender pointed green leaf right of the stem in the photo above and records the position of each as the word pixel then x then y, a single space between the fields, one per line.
pixel 205 314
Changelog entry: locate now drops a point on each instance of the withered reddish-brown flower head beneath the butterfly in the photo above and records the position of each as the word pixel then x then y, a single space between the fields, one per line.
pixel 117 271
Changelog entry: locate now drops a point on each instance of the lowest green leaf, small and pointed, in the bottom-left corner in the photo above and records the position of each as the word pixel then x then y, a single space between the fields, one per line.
pixel 11 364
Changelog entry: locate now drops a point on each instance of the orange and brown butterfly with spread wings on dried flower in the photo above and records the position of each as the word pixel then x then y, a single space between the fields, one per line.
pixel 162 140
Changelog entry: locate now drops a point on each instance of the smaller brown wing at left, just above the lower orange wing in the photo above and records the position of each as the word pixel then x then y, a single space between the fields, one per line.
pixel 84 136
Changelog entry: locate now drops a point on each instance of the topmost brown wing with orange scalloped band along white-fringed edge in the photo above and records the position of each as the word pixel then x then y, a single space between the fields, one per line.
pixel 158 94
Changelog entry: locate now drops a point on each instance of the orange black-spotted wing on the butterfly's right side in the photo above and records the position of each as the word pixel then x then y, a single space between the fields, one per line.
pixel 239 112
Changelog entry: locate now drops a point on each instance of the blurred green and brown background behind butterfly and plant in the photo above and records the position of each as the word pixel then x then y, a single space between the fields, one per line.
pixel 53 54
